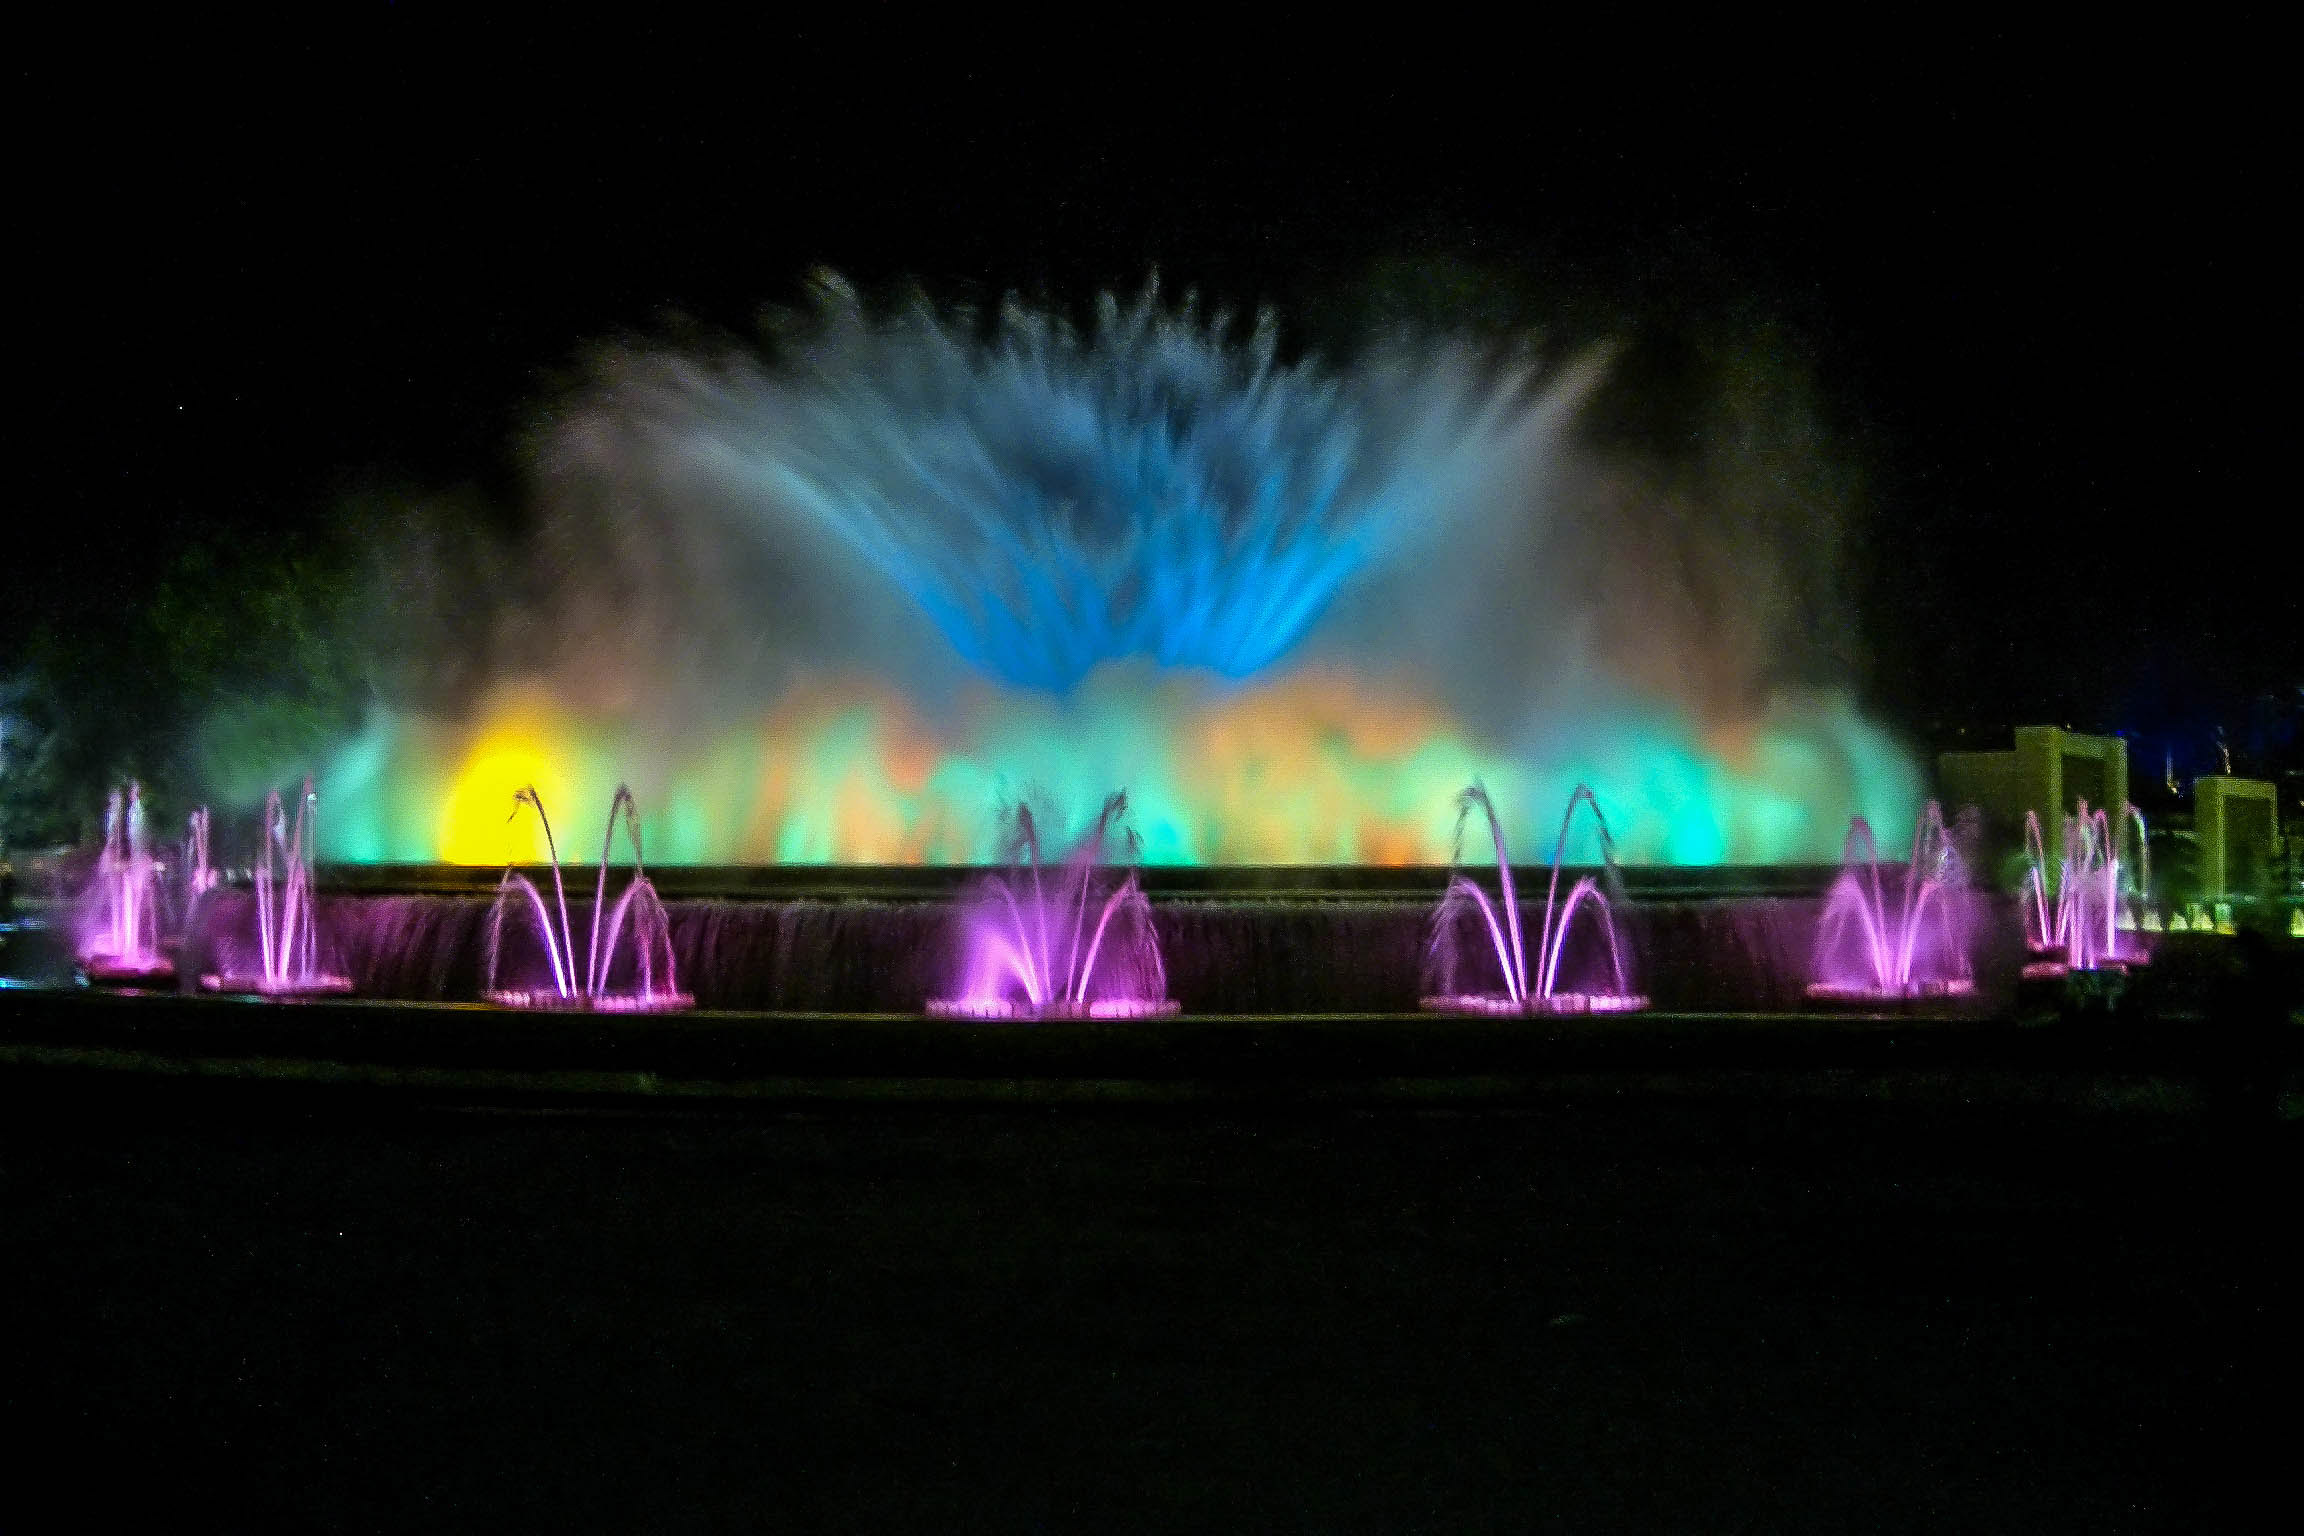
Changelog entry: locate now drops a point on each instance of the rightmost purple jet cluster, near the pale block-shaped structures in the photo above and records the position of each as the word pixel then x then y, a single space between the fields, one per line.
pixel 2093 920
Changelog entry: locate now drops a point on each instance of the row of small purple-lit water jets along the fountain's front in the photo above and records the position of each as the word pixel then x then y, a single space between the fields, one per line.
pixel 1075 938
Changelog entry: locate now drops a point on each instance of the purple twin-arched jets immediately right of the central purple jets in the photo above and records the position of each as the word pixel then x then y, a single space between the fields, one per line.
pixel 1524 989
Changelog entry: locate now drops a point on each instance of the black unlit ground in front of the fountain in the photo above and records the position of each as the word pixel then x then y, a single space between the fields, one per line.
pixel 275 1307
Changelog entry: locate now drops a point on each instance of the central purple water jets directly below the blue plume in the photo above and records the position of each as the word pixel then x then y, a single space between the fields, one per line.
pixel 1061 943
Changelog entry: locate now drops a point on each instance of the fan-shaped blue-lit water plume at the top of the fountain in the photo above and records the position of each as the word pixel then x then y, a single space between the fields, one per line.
pixel 1153 485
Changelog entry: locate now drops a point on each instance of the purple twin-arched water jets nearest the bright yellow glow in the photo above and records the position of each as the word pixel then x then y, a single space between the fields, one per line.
pixel 616 978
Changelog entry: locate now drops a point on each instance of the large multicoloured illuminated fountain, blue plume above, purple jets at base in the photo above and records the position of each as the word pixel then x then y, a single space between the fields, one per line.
pixel 895 563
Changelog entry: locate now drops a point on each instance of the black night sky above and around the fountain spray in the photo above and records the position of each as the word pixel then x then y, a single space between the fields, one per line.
pixel 2038 280
